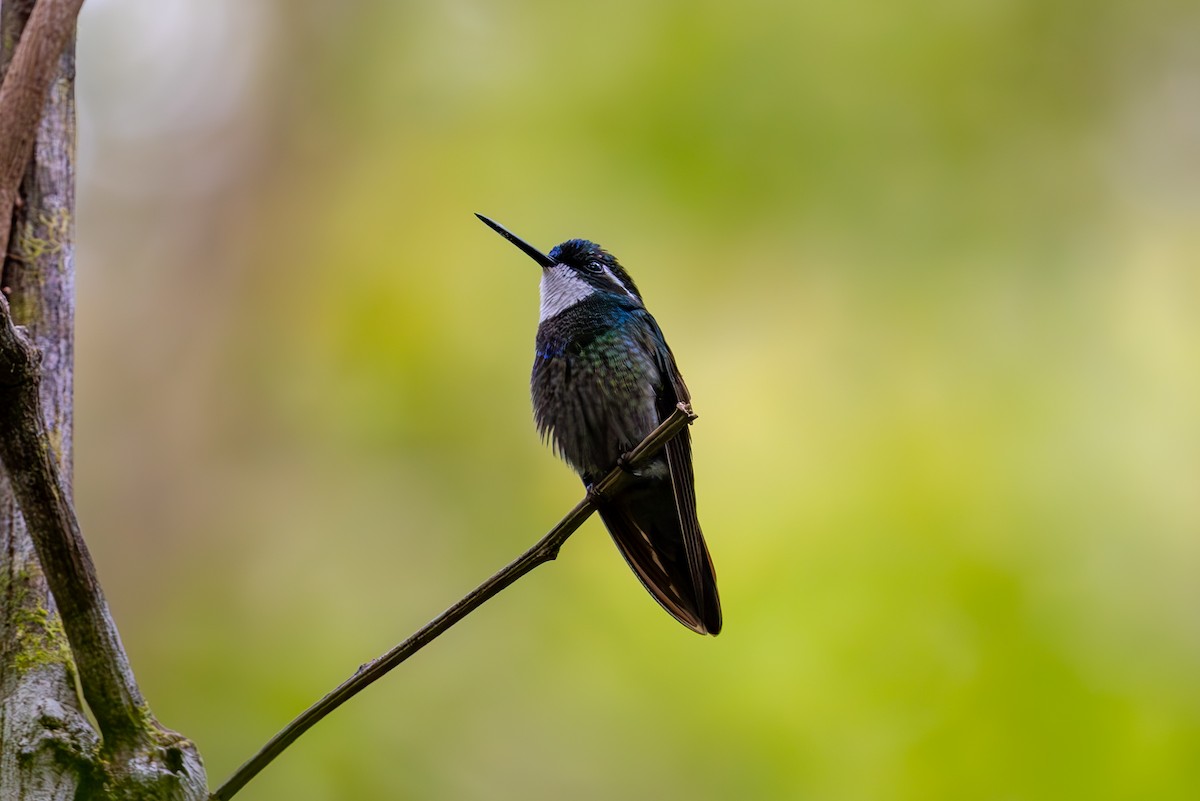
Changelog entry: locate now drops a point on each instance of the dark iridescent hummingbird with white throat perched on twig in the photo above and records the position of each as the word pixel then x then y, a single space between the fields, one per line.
pixel 603 380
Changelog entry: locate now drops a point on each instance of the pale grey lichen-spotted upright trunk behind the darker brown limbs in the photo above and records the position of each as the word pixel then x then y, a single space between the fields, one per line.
pixel 45 738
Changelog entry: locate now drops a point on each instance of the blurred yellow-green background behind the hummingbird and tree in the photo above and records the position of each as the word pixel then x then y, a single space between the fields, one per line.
pixel 932 272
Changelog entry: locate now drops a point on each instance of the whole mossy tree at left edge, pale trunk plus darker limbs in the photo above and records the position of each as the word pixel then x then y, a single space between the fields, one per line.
pixel 49 748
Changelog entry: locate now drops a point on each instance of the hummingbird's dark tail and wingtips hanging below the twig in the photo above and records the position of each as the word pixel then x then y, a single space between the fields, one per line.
pixel 646 526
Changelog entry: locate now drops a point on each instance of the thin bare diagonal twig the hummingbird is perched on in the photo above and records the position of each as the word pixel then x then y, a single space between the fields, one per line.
pixel 545 551
